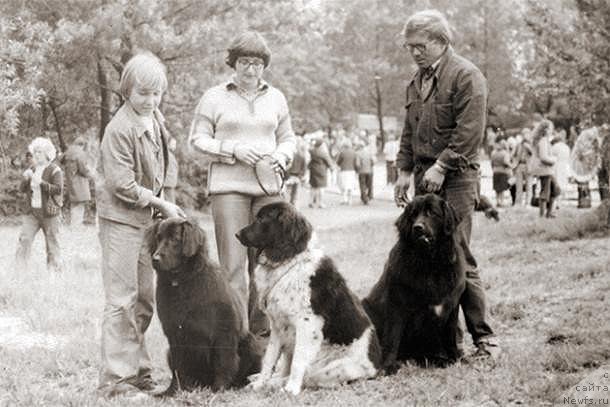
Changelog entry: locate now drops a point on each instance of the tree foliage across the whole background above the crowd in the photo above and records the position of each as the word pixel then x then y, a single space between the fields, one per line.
pixel 62 59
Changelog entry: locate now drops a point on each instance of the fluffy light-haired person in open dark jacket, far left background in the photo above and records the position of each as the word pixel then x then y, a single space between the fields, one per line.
pixel 43 184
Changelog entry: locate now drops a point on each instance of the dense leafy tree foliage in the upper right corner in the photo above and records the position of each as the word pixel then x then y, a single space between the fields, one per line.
pixel 570 58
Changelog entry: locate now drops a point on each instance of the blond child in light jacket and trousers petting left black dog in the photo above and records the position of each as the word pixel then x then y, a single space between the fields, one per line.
pixel 131 168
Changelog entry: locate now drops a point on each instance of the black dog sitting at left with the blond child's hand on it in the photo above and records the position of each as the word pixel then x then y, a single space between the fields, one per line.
pixel 209 345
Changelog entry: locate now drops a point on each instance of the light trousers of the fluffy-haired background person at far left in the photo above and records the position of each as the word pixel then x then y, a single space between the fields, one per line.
pixel 32 223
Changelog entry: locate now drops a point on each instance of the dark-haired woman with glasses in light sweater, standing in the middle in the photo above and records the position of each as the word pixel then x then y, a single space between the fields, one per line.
pixel 236 124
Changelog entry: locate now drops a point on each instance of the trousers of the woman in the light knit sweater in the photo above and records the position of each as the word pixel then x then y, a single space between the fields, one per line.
pixel 232 212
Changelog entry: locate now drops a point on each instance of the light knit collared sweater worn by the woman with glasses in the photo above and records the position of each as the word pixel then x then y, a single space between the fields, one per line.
pixel 225 118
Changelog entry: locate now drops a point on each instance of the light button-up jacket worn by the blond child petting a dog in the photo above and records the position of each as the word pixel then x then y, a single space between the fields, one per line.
pixel 131 168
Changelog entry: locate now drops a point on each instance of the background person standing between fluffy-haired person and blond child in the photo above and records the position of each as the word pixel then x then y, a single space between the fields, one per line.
pixel 79 176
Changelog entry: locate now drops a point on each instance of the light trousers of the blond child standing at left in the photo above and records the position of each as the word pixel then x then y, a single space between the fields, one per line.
pixel 127 275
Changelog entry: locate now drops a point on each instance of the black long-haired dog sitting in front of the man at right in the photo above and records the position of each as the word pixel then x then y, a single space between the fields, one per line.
pixel 415 303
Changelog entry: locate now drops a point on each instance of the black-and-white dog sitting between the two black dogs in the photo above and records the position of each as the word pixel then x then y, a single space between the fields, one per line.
pixel 317 324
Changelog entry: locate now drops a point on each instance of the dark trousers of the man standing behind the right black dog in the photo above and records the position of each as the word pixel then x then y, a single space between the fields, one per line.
pixel 461 191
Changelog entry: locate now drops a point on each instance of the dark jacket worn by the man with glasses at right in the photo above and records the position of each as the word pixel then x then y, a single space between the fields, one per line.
pixel 448 125
